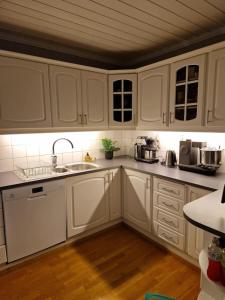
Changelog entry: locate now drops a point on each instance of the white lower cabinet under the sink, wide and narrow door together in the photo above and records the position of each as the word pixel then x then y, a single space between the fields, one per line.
pixel 92 200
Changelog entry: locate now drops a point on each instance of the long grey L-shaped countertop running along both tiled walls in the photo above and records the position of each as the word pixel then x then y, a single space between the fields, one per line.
pixel 215 182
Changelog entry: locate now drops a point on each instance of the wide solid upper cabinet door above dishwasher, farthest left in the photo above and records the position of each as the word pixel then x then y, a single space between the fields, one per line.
pixel 24 94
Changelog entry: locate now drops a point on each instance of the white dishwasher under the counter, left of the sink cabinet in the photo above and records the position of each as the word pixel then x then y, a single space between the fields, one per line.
pixel 35 218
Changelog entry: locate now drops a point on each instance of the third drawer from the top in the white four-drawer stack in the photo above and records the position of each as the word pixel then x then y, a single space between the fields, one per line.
pixel 174 222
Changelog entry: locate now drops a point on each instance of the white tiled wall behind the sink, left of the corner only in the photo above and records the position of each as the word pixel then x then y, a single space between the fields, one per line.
pixel 27 150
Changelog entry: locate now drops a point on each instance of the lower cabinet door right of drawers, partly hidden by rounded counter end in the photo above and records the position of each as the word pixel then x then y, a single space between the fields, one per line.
pixel 195 236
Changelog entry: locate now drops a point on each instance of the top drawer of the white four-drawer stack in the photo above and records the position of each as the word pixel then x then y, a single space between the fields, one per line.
pixel 169 188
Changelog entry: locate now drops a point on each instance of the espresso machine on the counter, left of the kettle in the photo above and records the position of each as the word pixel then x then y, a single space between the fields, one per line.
pixel 145 149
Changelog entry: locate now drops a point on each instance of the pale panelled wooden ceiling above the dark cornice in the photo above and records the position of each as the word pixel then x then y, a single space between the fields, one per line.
pixel 119 32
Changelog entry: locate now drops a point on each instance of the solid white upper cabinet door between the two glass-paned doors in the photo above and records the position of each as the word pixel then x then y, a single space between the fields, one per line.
pixel 153 97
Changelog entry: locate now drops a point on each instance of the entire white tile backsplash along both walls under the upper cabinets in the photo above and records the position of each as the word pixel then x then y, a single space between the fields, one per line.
pixel 29 149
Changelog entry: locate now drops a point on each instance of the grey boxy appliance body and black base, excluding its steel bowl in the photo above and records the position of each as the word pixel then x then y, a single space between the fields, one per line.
pixel 190 158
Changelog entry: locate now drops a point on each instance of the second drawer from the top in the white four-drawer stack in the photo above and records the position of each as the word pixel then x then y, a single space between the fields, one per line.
pixel 170 204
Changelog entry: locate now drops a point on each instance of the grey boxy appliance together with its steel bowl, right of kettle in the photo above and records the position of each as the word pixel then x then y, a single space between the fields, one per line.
pixel 196 157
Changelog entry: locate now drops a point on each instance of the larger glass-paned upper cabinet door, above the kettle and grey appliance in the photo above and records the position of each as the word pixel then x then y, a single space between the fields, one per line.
pixel 187 92
